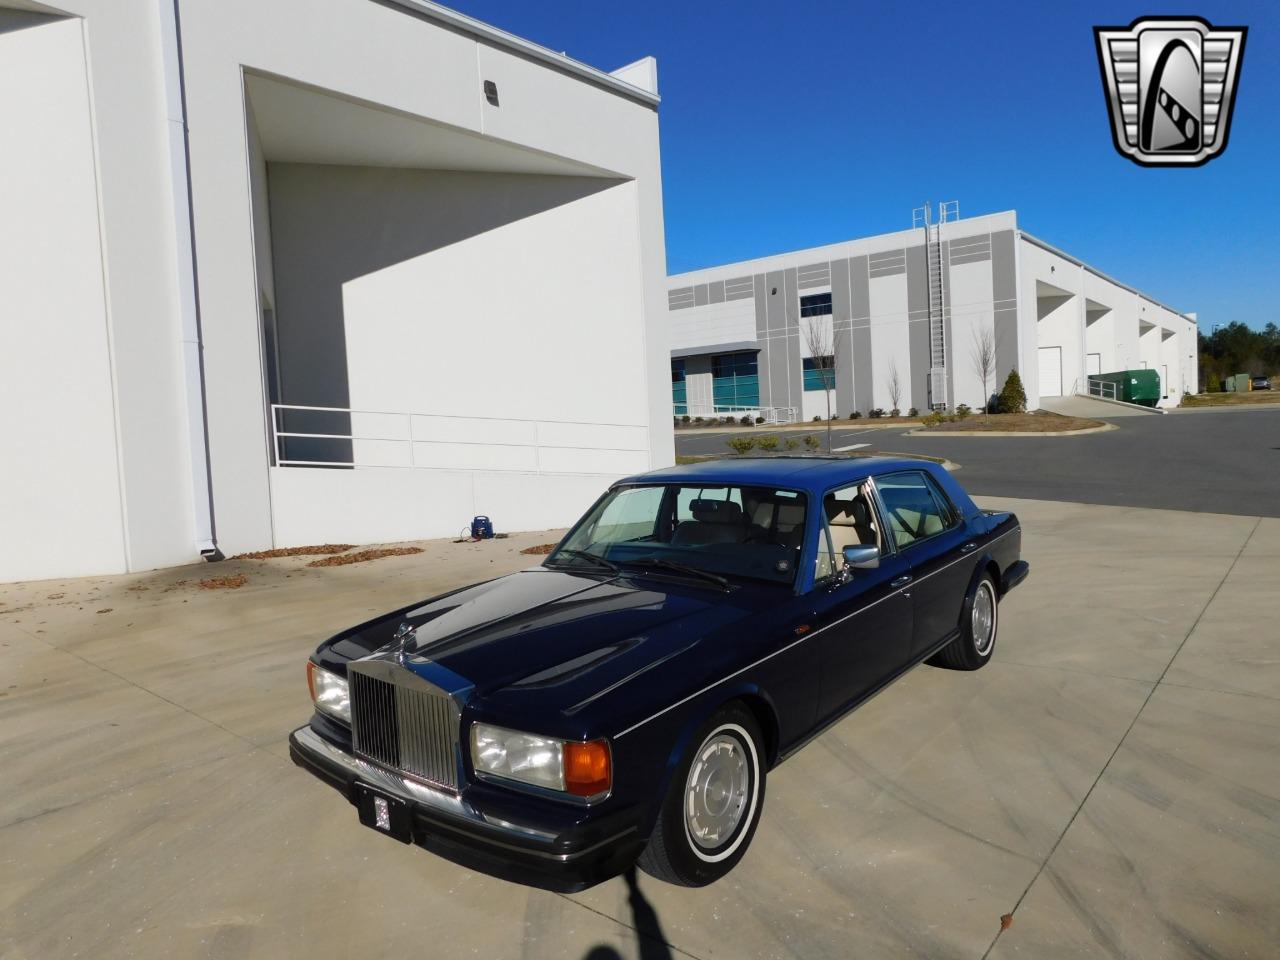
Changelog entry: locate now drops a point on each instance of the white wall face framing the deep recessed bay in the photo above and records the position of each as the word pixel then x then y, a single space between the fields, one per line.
pixel 413 67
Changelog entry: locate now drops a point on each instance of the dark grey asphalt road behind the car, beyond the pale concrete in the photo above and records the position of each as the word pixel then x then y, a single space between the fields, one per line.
pixel 1218 461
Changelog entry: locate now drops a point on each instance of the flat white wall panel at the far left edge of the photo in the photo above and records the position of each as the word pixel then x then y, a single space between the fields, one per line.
pixel 62 511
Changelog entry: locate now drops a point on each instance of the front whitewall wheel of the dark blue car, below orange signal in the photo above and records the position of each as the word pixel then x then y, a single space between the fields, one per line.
pixel 714 804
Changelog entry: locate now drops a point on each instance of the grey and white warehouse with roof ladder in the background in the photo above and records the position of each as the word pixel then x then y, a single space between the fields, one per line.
pixel 906 316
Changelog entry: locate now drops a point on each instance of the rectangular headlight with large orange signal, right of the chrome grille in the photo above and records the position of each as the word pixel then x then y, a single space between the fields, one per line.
pixel 579 770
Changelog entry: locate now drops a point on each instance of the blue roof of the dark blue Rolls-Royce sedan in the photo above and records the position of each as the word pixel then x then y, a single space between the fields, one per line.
pixel 810 474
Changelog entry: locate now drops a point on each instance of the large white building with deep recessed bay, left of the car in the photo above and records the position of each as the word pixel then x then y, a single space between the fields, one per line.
pixel 285 272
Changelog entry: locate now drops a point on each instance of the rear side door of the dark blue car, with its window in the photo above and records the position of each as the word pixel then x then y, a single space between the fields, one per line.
pixel 931 537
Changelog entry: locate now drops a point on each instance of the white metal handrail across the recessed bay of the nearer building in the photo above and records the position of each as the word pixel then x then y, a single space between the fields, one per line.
pixel 278 435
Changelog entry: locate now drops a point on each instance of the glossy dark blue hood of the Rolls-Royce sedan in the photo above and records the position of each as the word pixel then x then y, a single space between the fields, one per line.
pixel 554 634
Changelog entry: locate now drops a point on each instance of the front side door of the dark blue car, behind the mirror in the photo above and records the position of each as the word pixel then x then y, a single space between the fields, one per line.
pixel 865 615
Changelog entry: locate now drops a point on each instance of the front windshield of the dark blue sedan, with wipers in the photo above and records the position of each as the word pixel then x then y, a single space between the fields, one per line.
pixel 732 532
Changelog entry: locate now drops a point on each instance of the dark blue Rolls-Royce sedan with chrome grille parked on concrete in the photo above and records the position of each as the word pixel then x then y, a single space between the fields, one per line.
pixel 624 702
